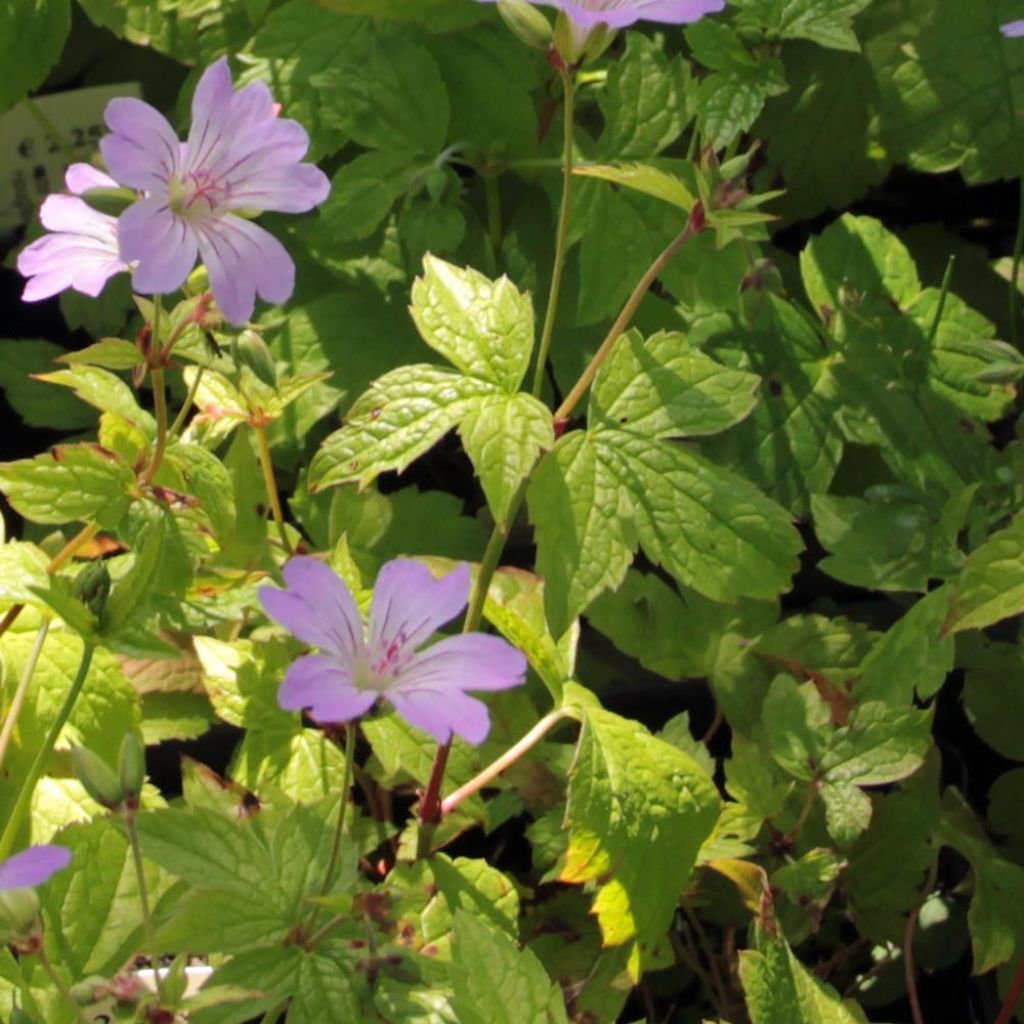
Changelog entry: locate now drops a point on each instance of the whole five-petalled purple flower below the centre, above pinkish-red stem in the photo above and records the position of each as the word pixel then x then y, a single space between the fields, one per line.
pixel 426 688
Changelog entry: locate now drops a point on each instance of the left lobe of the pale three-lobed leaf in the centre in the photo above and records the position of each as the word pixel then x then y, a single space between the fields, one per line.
pixel 403 415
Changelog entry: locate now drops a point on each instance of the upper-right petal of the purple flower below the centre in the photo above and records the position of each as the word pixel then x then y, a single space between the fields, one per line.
pixel 410 605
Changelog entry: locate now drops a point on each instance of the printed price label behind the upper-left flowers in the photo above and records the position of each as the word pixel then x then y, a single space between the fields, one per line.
pixel 32 164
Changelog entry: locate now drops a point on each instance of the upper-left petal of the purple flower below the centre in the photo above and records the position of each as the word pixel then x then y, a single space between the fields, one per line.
pixel 318 608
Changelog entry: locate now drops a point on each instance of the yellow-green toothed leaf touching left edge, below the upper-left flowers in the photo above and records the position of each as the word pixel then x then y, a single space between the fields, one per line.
pixel 72 483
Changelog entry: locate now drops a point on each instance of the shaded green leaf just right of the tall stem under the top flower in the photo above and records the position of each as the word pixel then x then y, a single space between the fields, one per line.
pixel 648 102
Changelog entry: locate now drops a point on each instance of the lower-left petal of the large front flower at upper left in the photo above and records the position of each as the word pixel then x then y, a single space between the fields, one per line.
pixel 164 245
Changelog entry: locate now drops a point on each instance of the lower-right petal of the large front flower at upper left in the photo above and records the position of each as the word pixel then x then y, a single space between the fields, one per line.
pixel 244 262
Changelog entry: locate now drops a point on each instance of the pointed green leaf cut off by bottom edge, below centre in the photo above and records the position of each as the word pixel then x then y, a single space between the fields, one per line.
pixel 496 984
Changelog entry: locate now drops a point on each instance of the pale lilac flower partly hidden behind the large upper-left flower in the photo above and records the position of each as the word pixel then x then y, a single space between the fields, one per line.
pixel 82 252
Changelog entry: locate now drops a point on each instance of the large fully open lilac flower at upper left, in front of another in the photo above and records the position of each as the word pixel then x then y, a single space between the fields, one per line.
pixel 239 157
